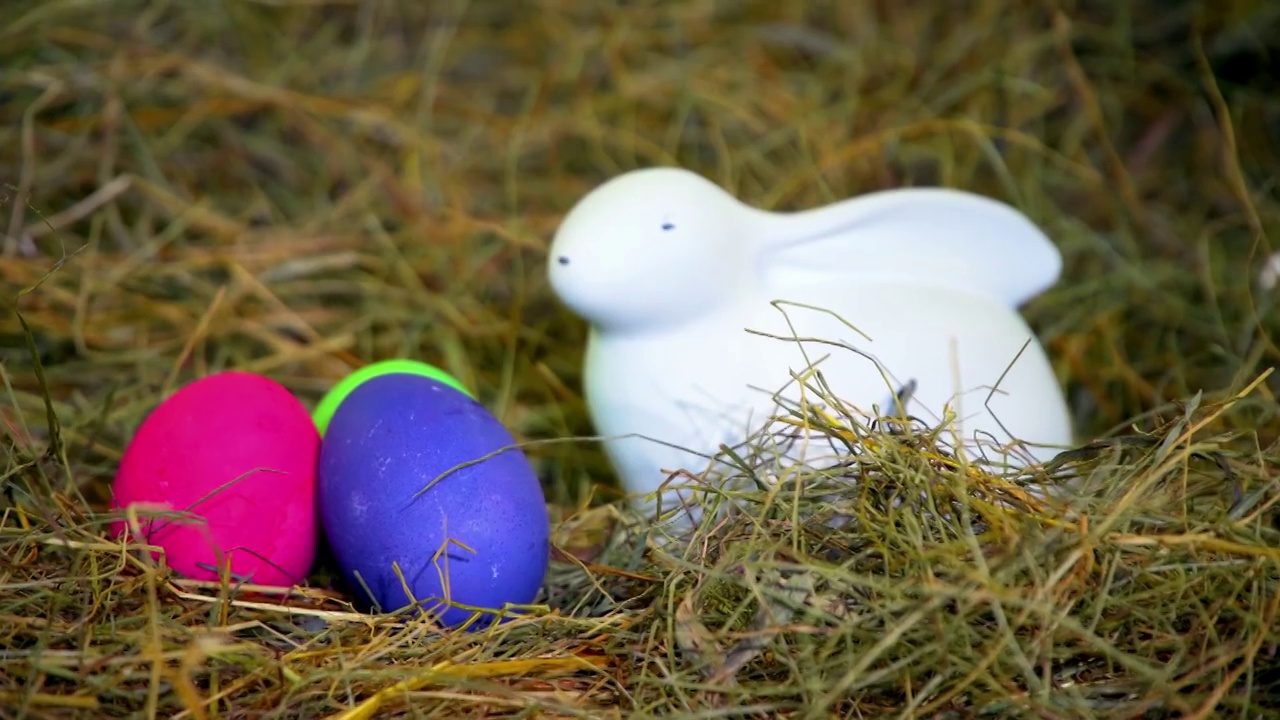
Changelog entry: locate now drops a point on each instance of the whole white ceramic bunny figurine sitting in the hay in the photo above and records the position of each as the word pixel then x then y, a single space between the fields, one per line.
pixel 671 272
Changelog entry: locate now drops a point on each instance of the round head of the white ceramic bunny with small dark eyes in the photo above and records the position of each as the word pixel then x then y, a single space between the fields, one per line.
pixel 651 249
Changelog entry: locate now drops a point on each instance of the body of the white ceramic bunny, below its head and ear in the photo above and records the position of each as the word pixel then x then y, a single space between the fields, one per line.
pixel 712 382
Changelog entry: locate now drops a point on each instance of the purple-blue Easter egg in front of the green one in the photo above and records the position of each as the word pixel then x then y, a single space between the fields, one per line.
pixel 400 532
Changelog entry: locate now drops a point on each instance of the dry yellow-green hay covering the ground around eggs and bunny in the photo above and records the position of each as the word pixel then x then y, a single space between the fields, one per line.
pixel 296 189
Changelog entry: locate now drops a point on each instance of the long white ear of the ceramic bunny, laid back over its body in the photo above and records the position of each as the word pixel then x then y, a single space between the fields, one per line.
pixel 922 236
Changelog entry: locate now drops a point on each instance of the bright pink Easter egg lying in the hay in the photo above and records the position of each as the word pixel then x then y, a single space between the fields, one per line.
pixel 225 471
